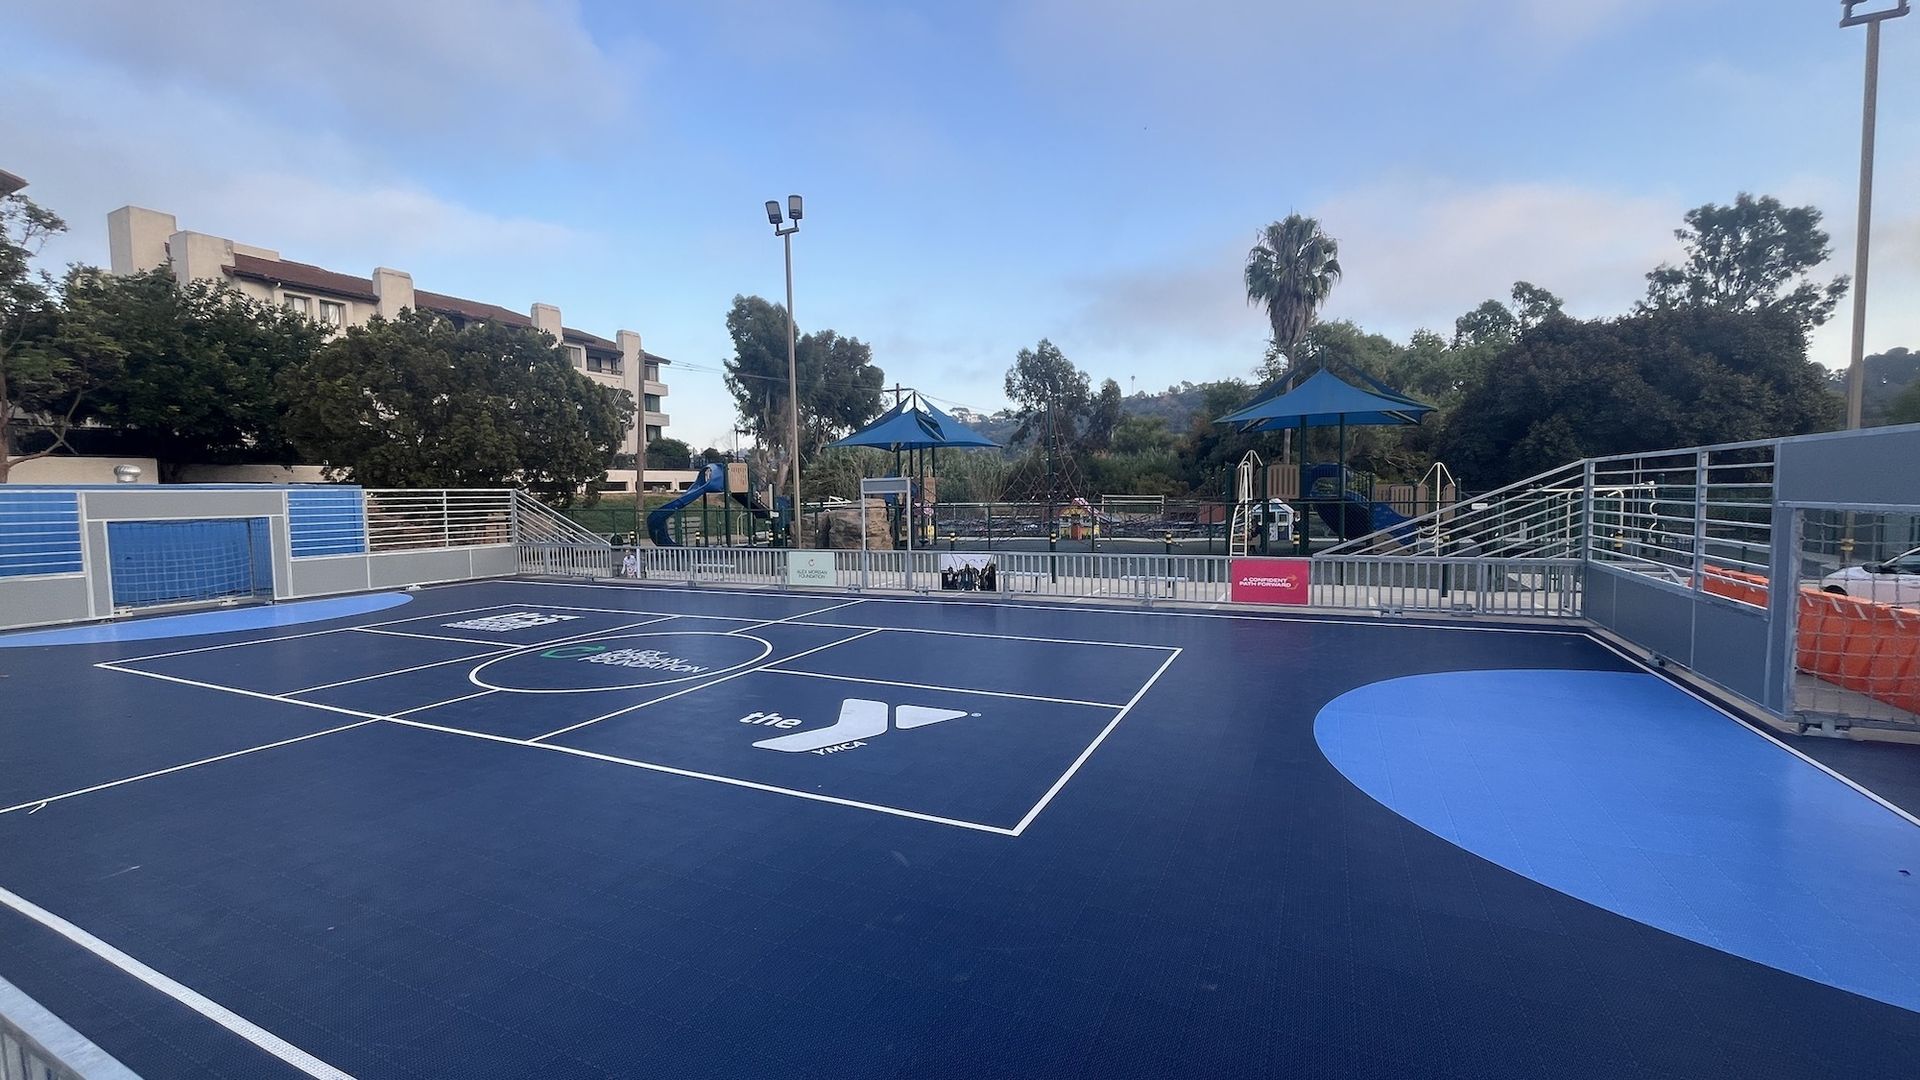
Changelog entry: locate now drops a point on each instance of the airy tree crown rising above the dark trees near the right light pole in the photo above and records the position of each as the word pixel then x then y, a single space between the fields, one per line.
pixel 1750 257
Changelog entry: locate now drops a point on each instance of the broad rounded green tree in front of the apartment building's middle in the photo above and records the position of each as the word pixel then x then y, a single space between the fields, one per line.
pixel 416 403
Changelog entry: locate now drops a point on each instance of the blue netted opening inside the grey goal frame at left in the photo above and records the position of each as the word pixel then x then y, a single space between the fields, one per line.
pixel 181 562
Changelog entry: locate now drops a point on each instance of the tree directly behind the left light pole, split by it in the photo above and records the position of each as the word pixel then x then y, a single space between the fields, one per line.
pixel 840 385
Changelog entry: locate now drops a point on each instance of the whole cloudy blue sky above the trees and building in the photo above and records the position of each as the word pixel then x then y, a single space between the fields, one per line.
pixel 976 176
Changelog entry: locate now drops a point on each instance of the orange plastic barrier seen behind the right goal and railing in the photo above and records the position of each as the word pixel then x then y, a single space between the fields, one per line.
pixel 1860 645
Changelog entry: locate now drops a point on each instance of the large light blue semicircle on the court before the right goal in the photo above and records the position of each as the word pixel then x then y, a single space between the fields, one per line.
pixel 1621 791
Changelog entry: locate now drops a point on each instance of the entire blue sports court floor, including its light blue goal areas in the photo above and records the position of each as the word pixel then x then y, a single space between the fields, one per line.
pixel 540 829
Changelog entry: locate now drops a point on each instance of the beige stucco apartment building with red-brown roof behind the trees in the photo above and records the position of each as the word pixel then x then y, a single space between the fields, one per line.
pixel 147 239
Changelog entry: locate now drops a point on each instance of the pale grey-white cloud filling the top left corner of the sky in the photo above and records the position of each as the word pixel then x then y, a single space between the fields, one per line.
pixel 439 68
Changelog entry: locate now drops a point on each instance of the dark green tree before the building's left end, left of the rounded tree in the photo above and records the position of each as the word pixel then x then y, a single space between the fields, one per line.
pixel 201 370
